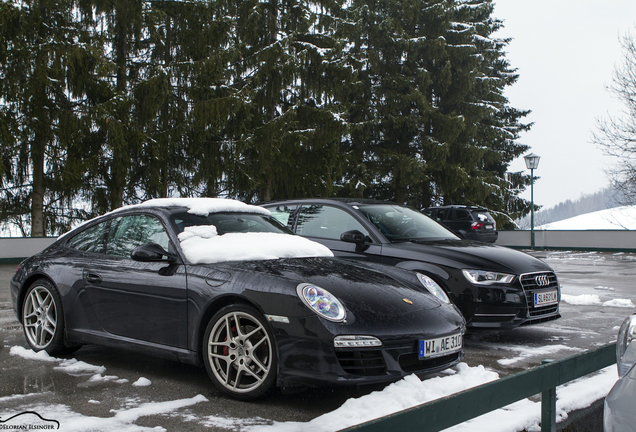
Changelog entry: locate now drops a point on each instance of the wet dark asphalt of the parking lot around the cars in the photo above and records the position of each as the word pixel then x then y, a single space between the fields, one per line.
pixel 25 383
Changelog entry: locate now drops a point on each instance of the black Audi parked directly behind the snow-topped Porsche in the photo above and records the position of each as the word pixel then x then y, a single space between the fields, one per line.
pixel 493 286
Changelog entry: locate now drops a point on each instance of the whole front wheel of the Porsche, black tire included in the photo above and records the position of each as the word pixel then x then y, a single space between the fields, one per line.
pixel 244 364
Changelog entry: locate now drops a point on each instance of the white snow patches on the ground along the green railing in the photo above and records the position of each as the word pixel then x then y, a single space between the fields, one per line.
pixel 406 393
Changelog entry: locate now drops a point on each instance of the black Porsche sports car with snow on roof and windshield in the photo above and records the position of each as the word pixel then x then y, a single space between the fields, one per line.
pixel 223 284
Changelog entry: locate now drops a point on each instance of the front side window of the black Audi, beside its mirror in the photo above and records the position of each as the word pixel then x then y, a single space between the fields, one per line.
pixel 326 222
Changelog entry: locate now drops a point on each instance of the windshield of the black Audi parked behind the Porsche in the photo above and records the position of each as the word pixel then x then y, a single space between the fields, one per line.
pixel 399 223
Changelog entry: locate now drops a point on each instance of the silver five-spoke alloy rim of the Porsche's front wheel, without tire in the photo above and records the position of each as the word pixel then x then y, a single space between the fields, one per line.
pixel 239 351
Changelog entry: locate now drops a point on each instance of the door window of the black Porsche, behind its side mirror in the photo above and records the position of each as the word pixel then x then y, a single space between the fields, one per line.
pixel 128 232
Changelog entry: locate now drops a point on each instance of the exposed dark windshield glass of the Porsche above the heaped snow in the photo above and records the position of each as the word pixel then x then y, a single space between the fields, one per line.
pixel 230 223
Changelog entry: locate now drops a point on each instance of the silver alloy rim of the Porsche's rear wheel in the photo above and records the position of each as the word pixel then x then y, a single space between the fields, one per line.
pixel 40 317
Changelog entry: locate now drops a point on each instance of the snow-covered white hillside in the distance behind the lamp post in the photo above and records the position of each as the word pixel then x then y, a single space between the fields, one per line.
pixel 588 203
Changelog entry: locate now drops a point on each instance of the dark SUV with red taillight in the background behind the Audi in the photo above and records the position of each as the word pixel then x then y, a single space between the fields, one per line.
pixel 468 222
